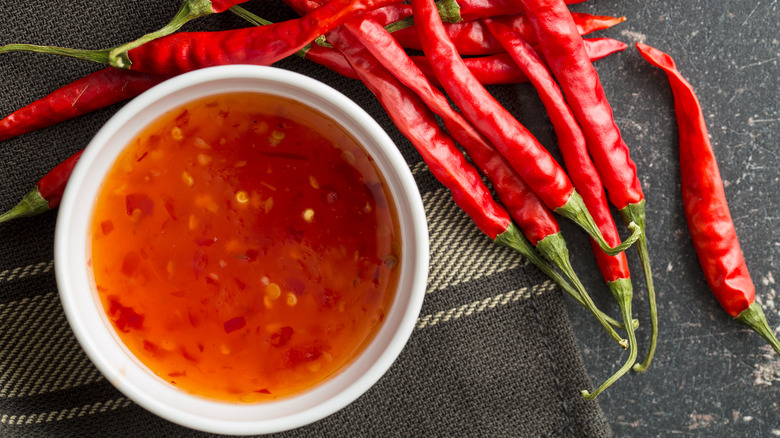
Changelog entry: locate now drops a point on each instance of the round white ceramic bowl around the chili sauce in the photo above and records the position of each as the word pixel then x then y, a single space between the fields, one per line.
pixel 99 339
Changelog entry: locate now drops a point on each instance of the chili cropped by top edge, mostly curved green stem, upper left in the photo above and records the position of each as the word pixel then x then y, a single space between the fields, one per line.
pixel 189 10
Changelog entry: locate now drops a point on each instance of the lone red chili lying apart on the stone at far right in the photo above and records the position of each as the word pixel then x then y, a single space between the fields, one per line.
pixel 706 208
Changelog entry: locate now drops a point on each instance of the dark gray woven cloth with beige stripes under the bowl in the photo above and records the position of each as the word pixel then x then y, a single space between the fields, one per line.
pixel 493 353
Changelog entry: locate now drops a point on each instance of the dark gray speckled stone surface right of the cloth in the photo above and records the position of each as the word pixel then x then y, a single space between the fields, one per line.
pixel 711 376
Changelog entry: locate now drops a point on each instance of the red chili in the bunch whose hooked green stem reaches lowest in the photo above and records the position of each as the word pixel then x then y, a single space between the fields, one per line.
pixel 583 175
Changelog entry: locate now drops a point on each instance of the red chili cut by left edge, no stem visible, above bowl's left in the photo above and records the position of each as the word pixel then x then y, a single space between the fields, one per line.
pixel 98 90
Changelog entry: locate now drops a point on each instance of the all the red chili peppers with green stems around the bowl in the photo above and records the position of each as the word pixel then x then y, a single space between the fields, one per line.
pixel 466 44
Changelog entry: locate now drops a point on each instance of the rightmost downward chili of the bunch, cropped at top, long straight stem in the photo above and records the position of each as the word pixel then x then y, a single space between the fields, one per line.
pixel 564 52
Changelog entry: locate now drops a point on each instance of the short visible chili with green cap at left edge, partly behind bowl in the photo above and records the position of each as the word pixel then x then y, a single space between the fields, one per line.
pixel 47 193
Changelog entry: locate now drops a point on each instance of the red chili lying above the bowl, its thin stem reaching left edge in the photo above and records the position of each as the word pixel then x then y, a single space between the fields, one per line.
pixel 185 51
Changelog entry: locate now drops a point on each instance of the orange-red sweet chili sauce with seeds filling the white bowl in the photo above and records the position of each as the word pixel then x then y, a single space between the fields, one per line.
pixel 244 247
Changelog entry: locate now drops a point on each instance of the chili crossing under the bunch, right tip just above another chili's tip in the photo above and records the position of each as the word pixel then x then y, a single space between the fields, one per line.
pixel 473 38
